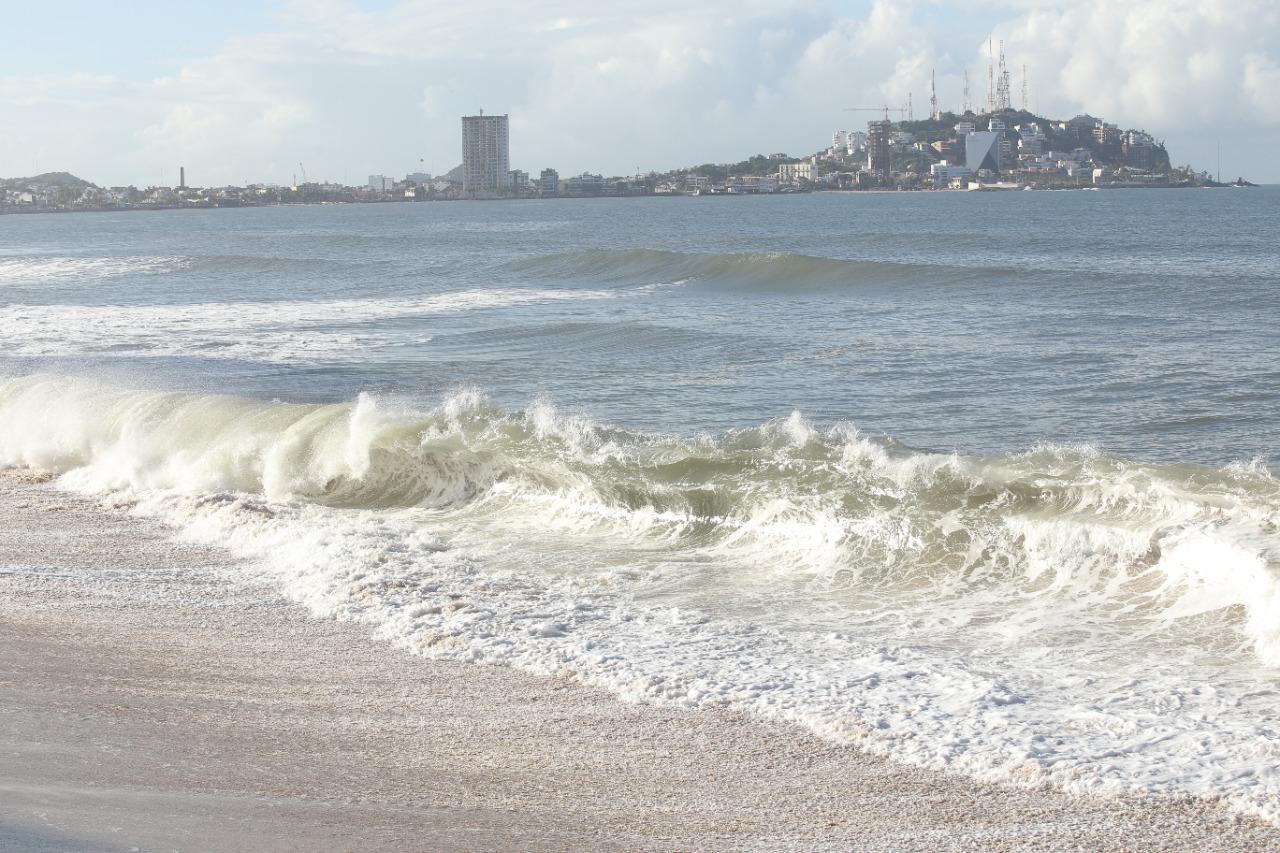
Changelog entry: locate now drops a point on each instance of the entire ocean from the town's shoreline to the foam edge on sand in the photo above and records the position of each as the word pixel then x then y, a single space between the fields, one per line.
pixel 984 482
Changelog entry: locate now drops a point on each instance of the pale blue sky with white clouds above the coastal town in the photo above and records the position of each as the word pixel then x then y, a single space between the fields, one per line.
pixel 241 92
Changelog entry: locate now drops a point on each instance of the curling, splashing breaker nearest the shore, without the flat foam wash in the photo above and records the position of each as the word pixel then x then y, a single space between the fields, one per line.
pixel 993 549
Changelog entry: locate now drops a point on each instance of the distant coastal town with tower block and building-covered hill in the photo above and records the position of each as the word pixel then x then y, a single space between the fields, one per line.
pixel 998 149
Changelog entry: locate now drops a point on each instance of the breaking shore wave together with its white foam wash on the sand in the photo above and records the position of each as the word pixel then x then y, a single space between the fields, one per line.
pixel 1057 618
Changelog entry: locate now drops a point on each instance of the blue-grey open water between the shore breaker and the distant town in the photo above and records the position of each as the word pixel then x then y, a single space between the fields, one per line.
pixel 1141 322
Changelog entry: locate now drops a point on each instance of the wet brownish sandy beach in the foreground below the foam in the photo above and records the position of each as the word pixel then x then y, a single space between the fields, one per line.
pixel 150 705
